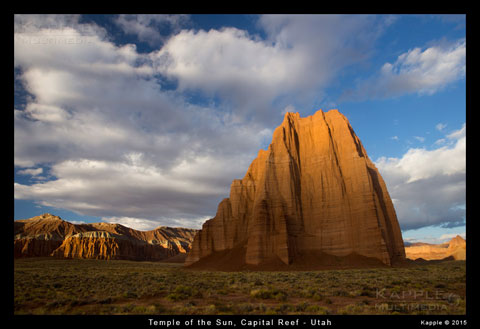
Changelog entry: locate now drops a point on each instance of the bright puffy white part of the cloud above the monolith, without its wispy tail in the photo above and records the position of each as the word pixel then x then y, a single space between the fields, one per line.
pixel 242 70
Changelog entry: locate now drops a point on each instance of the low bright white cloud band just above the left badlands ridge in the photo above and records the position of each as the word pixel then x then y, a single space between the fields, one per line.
pixel 131 188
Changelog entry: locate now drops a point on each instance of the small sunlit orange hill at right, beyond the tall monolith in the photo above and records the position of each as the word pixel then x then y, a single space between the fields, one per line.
pixel 455 249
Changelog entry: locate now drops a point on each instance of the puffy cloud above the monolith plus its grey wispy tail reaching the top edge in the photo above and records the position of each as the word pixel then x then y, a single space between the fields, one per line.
pixel 299 57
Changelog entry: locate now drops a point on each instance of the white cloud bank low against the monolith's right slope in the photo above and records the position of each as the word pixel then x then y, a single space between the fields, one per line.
pixel 428 187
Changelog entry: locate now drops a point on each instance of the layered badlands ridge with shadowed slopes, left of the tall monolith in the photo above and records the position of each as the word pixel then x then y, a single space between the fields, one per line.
pixel 49 235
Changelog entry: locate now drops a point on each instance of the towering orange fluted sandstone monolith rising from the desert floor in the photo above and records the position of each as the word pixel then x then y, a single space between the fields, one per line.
pixel 312 197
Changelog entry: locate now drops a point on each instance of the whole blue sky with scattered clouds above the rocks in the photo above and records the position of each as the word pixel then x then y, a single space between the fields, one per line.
pixel 145 120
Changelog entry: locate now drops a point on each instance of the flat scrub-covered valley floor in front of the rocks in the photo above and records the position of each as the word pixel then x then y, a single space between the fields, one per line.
pixel 66 286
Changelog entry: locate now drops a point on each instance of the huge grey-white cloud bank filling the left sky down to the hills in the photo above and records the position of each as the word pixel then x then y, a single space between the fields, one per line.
pixel 116 144
